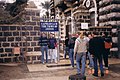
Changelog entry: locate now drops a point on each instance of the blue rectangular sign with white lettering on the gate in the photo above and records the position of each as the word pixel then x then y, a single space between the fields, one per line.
pixel 49 26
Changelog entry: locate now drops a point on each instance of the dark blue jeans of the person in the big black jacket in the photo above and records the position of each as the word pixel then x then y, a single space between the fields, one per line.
pixel 95 59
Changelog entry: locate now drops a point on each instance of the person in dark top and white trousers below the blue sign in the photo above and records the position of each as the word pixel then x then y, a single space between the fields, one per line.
pixel 52 45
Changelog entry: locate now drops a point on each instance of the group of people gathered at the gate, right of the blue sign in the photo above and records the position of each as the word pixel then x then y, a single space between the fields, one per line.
pixel 93 46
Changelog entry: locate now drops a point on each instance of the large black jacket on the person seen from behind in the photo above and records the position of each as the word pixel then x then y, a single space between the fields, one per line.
pixel 96 46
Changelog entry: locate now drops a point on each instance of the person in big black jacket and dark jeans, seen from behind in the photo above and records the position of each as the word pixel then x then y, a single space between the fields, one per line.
pixel 96 48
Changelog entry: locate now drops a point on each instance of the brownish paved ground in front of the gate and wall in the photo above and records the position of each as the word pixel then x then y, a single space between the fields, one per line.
pixel 42 72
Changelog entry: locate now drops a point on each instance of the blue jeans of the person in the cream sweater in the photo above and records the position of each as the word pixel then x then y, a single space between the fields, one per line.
pixel 81 57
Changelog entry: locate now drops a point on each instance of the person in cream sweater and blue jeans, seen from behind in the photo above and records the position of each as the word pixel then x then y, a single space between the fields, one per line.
pixel 80 50
